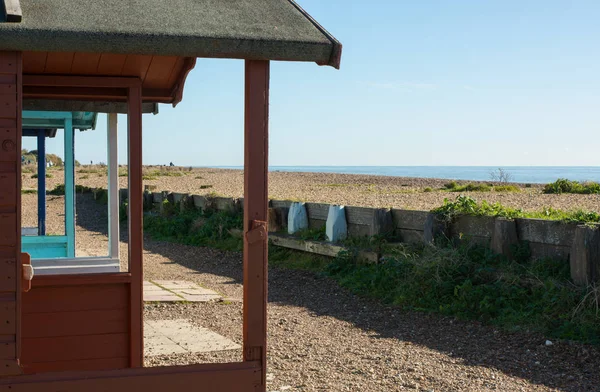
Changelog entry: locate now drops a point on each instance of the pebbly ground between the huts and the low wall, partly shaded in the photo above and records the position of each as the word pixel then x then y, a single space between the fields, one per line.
pixel 322 338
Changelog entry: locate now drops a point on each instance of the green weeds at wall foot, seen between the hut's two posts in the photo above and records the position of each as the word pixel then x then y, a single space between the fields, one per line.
pixel 221 230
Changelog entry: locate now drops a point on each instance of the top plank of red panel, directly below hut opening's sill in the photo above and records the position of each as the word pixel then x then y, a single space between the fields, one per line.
pixel 75 298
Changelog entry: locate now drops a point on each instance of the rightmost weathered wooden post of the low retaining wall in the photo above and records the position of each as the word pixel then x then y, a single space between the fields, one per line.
pixel 585 255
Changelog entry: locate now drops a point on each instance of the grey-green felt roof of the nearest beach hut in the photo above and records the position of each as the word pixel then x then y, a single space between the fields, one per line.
pixel 247 29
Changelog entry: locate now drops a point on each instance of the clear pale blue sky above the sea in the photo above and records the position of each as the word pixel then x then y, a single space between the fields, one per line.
pixel 425 82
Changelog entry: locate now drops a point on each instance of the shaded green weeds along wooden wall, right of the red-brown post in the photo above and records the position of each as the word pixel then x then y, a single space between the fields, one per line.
pixel 467 283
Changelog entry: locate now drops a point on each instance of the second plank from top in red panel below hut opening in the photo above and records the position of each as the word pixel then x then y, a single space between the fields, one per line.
pixel 81 322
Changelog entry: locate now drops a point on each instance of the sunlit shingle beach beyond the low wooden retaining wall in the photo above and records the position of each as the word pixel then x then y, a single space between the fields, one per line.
pixel 345 189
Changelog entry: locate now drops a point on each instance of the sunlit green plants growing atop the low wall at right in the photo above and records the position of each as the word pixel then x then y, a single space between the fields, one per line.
pixel 465 205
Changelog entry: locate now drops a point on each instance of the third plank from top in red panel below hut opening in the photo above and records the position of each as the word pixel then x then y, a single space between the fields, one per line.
pixel 72 348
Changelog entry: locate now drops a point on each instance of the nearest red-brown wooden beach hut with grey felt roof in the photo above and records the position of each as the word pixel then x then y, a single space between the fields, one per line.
pixel 83 331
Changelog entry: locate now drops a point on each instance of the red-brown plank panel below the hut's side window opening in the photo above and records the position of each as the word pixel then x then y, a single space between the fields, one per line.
pixel 76 327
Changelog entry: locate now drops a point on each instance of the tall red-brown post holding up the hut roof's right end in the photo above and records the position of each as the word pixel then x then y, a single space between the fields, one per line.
pixel 256 121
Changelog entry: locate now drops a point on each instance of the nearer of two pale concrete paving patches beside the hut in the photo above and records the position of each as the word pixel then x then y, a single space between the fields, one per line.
pixel 166 337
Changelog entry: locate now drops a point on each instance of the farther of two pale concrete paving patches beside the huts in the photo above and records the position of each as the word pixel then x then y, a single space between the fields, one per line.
pixel 177 291
